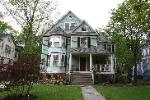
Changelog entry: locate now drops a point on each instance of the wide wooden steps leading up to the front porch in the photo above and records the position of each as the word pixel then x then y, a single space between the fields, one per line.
pixel 81 79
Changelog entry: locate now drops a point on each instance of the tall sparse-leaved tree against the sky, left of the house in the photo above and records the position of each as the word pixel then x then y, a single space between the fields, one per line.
pixel 32 15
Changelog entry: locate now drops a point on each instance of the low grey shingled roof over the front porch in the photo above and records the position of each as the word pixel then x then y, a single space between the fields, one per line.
pixel 89 50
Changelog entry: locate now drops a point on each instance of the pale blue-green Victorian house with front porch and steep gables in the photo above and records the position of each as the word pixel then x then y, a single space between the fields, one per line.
pixel 71 45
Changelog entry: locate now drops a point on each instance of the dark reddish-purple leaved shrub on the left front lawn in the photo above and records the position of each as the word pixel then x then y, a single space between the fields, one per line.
pixel 20 75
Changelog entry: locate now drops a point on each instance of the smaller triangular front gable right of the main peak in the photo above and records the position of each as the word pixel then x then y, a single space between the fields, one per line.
pixel 83 27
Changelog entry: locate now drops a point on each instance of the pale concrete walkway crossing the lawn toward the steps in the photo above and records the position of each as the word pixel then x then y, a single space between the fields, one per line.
pixel 89 93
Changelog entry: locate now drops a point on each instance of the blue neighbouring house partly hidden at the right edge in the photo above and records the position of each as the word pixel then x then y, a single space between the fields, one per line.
pixel 144 65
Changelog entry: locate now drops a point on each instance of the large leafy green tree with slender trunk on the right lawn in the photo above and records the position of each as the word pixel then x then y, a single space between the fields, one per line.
pixel 130 22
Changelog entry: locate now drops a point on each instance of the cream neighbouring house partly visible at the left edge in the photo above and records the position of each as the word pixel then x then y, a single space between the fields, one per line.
pixel 7 49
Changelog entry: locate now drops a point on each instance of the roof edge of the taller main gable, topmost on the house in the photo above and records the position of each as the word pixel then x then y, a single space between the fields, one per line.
pixel 69 12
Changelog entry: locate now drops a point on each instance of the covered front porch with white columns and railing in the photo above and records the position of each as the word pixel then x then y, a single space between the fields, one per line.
pixel 83 63
